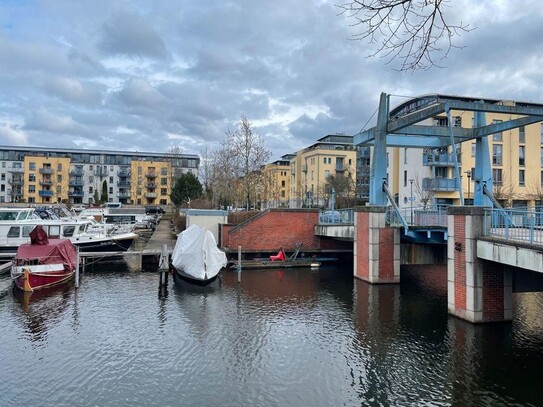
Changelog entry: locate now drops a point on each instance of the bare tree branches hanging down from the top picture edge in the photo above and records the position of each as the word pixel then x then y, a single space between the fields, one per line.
pixel 415 31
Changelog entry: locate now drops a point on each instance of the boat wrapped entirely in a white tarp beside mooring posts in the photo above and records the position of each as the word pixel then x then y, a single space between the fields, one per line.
pixel 196 256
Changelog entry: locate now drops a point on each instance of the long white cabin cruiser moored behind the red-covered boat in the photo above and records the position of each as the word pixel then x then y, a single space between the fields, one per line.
pixel 17 223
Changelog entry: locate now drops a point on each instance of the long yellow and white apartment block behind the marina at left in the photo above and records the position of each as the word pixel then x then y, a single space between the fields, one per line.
pixel 44 175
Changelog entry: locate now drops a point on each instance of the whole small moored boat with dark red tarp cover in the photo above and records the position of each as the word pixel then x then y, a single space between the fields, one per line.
pixel 43 262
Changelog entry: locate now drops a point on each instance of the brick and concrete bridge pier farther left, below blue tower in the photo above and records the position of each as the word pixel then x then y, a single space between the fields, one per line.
pixel 376 246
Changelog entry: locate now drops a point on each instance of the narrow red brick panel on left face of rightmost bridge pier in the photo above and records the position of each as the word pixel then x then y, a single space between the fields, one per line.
pixel 460 263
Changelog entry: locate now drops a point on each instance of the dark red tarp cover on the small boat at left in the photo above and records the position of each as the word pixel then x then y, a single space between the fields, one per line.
pixel 47 251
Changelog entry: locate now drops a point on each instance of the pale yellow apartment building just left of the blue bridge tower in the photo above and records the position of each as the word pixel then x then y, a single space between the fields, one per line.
pixel 332 154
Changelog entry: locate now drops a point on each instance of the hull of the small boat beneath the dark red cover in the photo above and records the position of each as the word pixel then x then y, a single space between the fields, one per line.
pixel 30 278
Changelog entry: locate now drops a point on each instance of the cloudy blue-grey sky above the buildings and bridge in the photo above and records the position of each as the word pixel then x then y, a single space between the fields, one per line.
pixel 151 75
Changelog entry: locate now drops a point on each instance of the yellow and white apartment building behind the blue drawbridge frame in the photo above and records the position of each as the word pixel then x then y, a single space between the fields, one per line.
pixel 419 176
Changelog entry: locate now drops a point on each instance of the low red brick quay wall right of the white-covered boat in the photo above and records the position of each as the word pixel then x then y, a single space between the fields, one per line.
pixel 274 228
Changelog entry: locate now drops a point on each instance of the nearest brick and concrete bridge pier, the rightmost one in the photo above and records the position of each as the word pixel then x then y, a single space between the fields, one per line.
pixel 478 290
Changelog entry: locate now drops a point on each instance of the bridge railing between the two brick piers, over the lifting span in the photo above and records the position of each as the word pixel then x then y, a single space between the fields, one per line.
pixel 430 215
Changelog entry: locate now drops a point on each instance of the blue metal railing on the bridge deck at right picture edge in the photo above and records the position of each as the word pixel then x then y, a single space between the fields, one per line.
pixel 515 224
